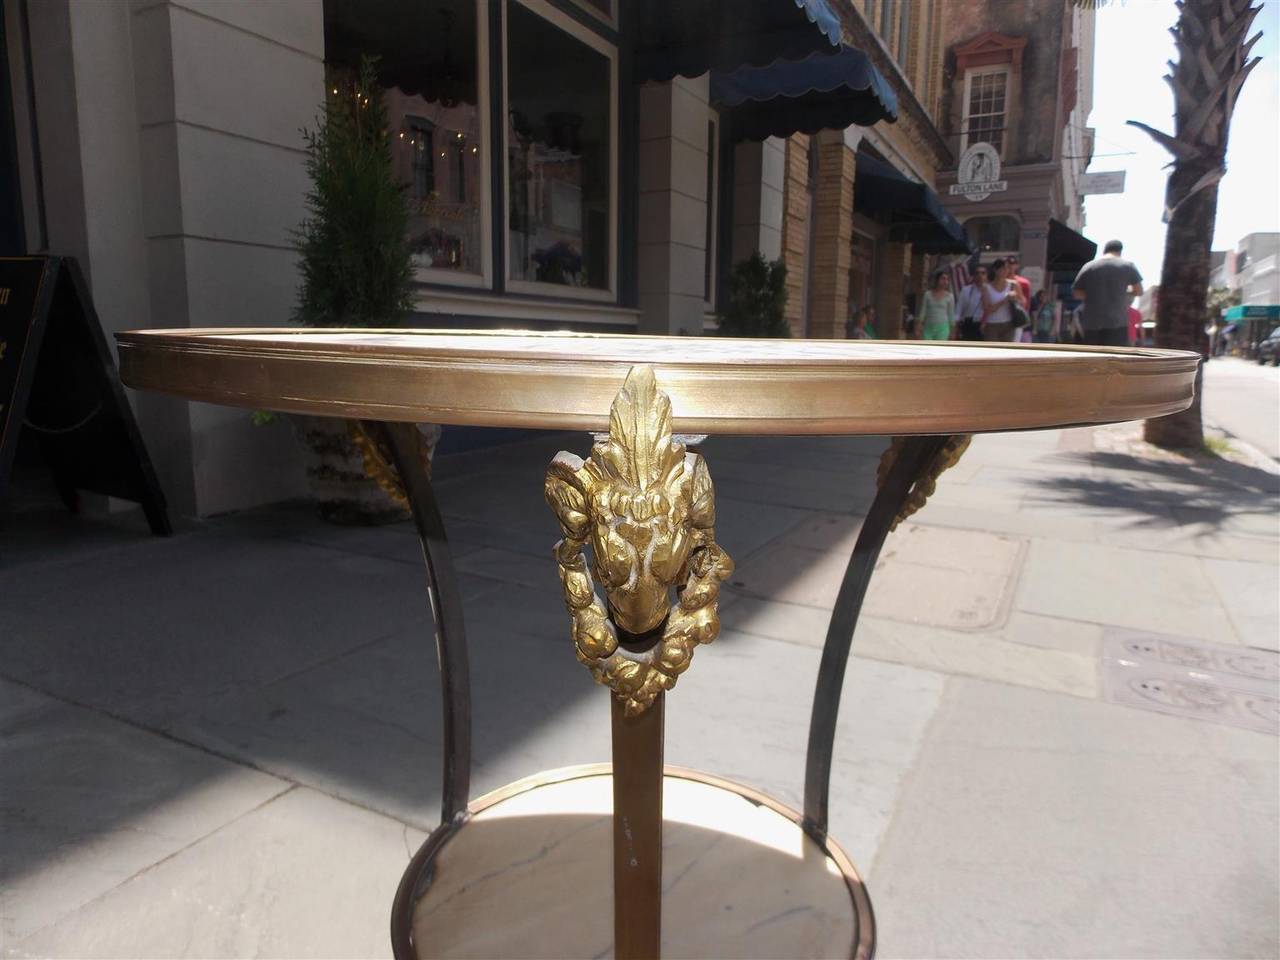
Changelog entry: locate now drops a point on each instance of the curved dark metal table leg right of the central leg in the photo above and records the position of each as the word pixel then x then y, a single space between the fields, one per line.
pixel 917 458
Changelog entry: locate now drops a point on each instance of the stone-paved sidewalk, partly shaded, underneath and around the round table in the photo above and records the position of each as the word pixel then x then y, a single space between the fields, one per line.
pixel 1058 735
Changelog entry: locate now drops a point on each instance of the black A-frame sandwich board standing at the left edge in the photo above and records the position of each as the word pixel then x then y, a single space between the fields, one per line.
pixel 58 386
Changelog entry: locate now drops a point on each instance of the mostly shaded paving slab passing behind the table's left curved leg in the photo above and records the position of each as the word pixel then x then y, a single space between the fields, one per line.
pixel 367 728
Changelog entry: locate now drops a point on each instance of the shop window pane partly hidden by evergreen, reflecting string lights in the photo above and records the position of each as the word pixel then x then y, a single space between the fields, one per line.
pixel 428 63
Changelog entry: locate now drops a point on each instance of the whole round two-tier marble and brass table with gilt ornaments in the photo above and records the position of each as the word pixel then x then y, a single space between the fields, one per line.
pixel 574 862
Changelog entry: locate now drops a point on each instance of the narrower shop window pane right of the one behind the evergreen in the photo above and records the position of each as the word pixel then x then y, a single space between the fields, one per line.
pixel 560 153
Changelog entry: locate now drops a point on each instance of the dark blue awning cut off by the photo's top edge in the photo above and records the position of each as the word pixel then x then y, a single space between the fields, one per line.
pixel 693 36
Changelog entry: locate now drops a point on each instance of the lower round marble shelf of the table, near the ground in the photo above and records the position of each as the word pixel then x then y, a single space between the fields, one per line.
pixel 531 875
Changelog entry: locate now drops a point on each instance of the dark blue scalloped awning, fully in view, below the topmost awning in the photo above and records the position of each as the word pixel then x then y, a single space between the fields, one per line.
pixel 819 93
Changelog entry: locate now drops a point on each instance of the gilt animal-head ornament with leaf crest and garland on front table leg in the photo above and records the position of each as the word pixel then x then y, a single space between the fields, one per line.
pixel 647 508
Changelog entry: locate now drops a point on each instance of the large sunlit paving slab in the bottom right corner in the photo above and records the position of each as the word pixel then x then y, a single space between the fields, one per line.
pixel 1049 826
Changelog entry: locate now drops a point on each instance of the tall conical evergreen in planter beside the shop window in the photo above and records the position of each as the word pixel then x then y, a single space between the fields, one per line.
pixel 356 272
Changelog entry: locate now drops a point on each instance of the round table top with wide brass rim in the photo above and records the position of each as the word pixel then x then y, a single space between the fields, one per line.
pixel 717 386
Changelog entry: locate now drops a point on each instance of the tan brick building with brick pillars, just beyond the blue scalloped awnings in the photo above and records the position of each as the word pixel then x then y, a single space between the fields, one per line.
pixel 799 198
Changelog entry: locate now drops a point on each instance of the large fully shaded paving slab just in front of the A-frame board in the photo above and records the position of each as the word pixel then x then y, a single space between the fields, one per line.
pixel 166 627
